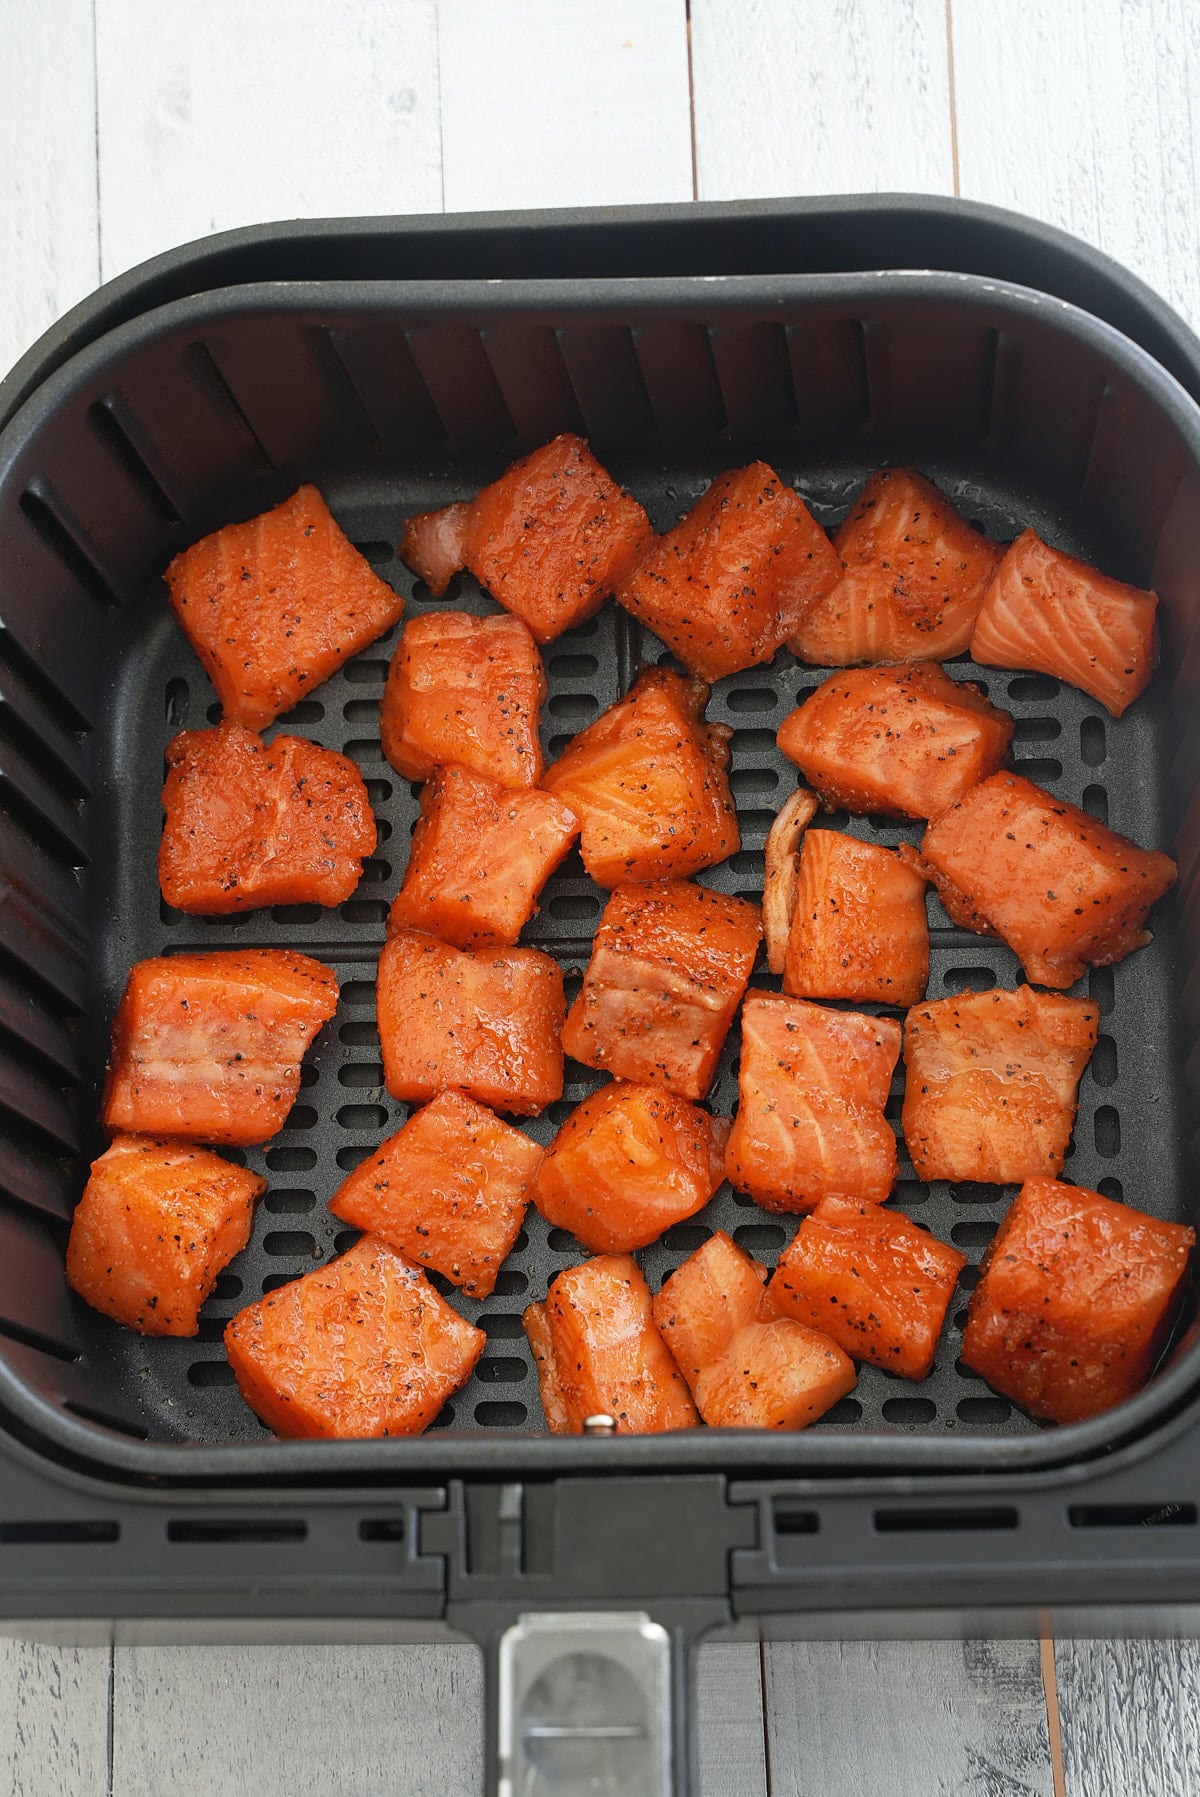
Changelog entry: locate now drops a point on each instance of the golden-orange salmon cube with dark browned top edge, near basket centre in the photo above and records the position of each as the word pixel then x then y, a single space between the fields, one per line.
pixel 649 783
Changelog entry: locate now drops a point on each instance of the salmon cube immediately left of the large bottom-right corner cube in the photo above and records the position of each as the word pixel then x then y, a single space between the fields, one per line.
pixel 872 1280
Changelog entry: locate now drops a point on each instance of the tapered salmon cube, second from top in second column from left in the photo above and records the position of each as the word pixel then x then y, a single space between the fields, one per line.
pixel 481 856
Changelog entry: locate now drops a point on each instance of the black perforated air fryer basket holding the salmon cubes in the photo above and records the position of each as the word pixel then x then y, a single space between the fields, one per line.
pixel 396 400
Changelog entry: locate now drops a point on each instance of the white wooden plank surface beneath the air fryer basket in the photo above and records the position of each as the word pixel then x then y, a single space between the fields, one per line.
pixel 128 127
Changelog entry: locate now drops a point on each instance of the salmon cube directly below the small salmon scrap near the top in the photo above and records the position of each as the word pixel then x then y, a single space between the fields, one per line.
pixel 464 691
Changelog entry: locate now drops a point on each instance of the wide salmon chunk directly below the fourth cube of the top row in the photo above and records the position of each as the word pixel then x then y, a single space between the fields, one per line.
pixel 901 741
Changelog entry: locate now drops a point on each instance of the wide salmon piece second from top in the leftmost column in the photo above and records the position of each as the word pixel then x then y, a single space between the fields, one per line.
pixel 252 826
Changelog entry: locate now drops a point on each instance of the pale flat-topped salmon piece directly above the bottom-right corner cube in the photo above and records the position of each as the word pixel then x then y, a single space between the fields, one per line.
pixel 993 1083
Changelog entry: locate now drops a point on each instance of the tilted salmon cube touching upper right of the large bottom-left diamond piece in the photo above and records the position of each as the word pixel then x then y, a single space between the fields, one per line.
pixel 448 1191
